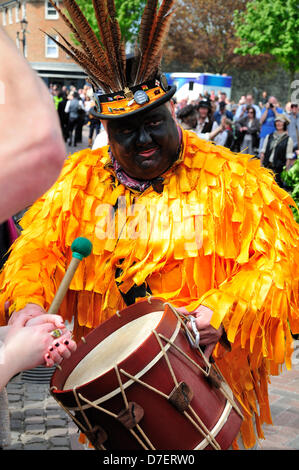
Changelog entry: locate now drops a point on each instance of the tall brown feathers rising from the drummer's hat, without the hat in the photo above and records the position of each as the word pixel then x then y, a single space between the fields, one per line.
pixel 105 60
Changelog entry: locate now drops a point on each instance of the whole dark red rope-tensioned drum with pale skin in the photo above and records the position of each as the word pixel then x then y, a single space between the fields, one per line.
pixel 139 381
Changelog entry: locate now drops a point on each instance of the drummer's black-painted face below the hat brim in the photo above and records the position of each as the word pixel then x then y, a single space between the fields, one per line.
pixel 145 145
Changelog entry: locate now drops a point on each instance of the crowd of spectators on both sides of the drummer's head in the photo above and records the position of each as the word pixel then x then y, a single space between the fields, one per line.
pixel 265 130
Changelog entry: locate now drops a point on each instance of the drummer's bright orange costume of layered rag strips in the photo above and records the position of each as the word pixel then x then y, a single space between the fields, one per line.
pixel 221 234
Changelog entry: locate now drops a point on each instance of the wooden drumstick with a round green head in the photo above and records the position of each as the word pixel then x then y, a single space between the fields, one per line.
pixel 81 248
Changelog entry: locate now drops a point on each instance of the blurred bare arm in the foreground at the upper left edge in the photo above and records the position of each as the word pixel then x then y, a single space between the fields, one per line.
pixel 32 149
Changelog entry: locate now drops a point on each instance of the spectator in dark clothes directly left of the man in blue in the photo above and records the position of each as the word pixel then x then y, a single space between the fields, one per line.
pixel 249 128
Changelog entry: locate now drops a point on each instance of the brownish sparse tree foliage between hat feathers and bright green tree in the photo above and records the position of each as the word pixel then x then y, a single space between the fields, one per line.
pixel 202 37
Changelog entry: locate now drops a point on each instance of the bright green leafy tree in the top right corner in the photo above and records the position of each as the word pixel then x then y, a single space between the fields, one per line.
pixel 270 28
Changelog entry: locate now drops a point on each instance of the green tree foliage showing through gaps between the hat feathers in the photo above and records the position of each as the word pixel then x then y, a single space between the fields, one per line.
pixel 129 14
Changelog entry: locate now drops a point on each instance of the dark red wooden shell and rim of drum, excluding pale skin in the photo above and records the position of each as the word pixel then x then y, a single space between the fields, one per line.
pixel 165 426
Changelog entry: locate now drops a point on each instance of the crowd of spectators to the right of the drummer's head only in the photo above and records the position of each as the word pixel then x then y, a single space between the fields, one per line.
pixel 264 130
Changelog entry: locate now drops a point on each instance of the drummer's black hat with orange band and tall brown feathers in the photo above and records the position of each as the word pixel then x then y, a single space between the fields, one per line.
pixel 121 85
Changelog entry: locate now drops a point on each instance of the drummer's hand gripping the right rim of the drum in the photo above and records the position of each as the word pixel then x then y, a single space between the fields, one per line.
pixel 209 336
